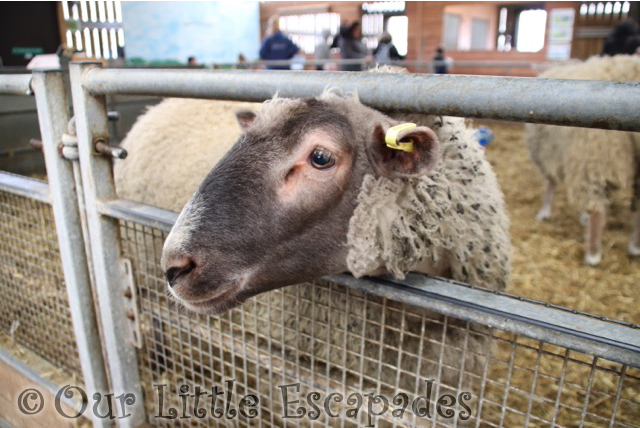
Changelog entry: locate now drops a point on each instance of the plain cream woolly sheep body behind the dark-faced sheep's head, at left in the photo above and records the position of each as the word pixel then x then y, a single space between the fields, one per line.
pixel 169 137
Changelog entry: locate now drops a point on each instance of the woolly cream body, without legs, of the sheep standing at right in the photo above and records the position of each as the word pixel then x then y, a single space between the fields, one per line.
pixel 589 161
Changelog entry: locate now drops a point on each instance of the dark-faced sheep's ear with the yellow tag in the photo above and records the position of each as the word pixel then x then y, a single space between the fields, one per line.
pixel 394 162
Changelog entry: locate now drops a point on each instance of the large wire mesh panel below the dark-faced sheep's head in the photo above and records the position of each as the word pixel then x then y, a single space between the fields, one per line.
pixel 325 349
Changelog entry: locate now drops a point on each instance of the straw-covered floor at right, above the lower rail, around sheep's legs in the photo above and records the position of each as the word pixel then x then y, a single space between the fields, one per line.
pixel 547 263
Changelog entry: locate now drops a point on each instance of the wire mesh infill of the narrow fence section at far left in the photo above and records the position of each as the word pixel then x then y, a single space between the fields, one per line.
pixel 34 308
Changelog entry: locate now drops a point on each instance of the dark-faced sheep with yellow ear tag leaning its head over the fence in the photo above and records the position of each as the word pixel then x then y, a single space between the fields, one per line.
pixel 467 233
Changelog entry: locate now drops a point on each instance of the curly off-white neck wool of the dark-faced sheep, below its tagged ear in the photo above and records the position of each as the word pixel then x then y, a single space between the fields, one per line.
pixel 455 212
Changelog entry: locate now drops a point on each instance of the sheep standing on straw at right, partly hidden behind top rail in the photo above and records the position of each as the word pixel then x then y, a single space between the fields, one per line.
pixel 591 162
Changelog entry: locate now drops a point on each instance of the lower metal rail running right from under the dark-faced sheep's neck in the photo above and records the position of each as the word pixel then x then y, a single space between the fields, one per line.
pixel 614 342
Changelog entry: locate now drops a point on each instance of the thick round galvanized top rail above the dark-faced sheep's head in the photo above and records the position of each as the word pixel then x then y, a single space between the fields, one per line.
pixel 585 103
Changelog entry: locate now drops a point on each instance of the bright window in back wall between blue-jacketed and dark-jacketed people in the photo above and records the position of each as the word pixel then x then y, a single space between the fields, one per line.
pixel 306 30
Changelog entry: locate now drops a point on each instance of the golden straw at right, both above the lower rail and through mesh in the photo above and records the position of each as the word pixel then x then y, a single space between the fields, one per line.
pixel 547 265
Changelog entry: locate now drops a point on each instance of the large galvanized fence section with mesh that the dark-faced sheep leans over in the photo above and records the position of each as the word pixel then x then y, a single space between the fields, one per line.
pixel 489 359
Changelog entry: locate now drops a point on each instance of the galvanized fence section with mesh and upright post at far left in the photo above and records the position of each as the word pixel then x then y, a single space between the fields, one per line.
pixel 48 300
